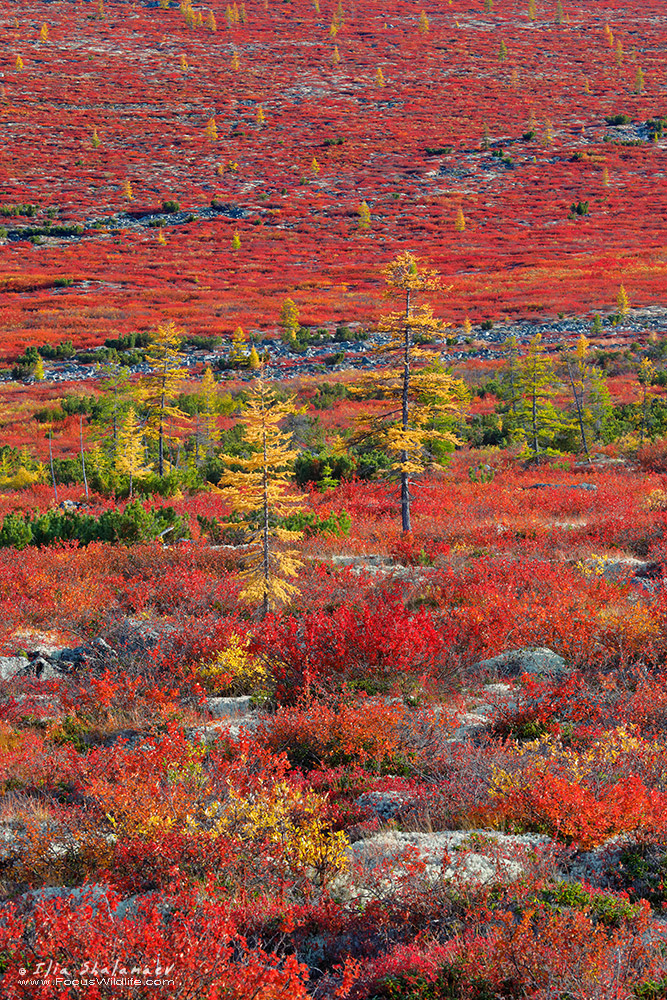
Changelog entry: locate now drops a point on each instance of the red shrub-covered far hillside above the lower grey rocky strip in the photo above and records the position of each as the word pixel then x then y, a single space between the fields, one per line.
pixel 413 149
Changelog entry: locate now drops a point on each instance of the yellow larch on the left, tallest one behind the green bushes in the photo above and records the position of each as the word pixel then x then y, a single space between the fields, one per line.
pixel 159 388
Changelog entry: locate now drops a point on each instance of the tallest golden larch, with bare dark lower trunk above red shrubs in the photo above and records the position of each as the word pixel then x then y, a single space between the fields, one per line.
pixel 425 394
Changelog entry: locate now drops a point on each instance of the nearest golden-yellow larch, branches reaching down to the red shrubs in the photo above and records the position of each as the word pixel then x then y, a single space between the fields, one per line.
pixel 259 490
